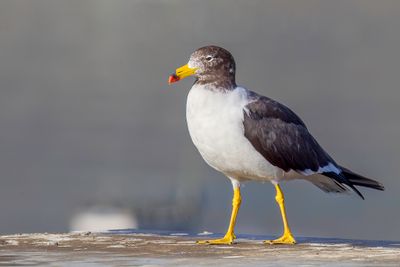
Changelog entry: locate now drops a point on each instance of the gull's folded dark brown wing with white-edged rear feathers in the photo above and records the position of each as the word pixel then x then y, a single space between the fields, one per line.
pixel 282 138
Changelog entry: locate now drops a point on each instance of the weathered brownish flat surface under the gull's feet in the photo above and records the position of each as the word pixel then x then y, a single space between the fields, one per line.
pixel 135 248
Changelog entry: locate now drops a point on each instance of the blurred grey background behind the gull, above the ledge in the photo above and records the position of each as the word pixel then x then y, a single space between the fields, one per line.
pixel 93 137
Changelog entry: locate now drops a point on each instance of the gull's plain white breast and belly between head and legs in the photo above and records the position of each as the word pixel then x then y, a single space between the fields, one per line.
pixel 215 122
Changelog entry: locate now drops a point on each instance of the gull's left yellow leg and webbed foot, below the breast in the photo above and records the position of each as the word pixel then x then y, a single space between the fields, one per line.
pixel 230 235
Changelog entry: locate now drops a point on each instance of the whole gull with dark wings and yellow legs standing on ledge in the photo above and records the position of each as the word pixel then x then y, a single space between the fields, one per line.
pixel 250 137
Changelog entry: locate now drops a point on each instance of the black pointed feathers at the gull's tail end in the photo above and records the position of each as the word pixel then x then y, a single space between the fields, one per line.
pixel 351 179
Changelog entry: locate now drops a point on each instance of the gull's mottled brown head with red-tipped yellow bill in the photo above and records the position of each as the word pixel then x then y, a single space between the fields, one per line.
pixel 211 65
